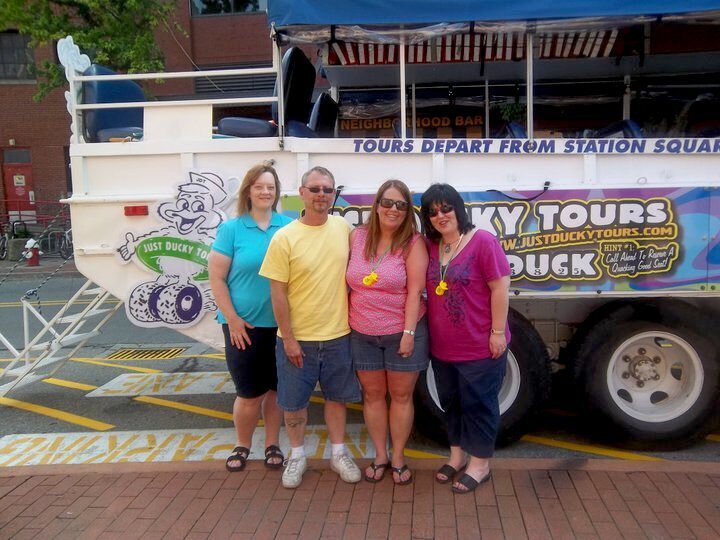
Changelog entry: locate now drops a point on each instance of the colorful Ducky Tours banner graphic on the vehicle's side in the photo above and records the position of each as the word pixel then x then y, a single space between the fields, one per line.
pixel 596 240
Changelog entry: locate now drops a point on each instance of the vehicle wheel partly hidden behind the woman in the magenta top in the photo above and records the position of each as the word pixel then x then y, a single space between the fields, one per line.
pixel 525 387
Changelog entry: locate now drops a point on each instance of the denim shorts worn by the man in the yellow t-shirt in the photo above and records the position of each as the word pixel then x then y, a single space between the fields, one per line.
pixel 327 362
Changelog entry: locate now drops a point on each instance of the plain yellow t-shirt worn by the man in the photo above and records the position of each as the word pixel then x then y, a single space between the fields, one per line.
pixel 312 261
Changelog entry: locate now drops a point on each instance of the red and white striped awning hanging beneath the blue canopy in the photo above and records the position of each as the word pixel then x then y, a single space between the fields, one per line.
pixel 472 47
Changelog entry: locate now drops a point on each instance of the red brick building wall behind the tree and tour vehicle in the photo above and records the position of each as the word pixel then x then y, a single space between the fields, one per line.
pixel 40 132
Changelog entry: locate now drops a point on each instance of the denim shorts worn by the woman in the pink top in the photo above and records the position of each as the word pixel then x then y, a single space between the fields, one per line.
pixel 372 353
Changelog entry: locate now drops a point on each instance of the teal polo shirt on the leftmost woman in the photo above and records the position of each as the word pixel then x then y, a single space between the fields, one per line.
pixel 245 243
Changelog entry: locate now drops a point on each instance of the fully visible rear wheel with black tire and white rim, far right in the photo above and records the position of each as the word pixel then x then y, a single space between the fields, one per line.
pixel 650 375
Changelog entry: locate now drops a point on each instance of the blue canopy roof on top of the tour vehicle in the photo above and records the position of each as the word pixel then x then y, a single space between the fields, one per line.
pixel 285 13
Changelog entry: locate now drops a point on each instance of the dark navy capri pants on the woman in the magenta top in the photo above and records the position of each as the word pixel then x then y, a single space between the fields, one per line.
pixel 468 393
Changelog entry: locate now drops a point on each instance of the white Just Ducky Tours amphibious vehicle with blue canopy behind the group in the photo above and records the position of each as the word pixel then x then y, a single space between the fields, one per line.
pixel 583 134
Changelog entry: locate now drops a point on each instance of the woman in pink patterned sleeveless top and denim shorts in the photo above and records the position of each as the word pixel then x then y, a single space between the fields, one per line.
pixel 386 276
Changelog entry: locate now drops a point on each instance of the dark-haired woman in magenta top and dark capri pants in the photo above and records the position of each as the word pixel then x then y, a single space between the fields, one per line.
pixel 468 280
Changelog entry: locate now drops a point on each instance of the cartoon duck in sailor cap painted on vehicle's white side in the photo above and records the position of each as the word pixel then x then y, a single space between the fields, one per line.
pixel 178 253
